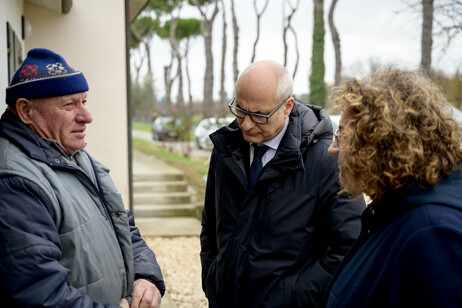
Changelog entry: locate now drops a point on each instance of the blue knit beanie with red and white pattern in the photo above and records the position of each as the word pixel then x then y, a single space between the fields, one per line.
pixel 44 74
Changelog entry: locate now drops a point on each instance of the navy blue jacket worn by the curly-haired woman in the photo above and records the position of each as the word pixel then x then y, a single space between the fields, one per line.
pixel 409 253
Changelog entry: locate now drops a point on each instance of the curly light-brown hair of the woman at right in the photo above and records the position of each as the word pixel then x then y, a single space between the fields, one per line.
pixel 400 133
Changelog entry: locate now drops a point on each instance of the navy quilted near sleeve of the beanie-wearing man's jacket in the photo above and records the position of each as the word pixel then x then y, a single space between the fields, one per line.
pixel 30 272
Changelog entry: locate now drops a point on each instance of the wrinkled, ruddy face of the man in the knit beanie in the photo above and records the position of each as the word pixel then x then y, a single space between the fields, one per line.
pixel 62 118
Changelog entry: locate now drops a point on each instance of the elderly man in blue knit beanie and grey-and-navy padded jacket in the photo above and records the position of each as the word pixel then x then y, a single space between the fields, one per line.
pixel 66 239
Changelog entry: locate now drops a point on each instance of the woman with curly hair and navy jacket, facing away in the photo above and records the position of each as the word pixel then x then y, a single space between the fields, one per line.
pixel 398 143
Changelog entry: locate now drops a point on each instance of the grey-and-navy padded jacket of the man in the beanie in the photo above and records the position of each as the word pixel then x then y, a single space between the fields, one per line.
pixel 65 237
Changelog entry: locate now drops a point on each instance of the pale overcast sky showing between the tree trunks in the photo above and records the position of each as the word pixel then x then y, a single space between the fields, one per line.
pixel 382 31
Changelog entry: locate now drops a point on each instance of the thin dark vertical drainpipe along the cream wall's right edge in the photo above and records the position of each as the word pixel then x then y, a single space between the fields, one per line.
pixel 129 109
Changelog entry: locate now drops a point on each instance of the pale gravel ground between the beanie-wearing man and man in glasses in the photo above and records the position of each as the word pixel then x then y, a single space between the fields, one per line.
pixel 179 260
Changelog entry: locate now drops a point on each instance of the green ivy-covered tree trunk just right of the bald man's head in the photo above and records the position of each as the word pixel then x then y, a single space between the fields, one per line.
pixel 317 85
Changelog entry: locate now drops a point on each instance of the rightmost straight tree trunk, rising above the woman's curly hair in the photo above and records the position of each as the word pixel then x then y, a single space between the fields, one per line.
pixel 427 41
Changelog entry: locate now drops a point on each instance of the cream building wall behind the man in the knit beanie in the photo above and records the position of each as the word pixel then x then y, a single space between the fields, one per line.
pixel 91 37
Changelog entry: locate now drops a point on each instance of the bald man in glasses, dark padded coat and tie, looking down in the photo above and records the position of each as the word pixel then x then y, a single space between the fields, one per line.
pixel 274 227
